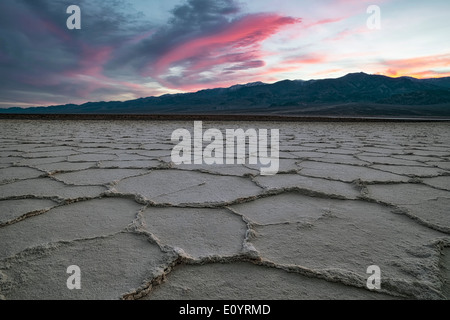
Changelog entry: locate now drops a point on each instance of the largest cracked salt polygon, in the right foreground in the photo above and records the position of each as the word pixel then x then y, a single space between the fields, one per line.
pixel 370 232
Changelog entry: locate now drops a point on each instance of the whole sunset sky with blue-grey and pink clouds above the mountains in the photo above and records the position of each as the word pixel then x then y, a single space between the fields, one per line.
pixel 127 49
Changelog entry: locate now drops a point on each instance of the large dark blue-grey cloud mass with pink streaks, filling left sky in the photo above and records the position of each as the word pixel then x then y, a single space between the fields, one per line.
pixel 119 52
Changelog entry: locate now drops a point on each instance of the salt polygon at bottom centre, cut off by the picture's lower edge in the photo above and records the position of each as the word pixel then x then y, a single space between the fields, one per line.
pixel 246 281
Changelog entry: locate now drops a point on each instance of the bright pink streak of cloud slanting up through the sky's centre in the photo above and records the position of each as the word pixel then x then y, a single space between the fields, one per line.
pixel 237 45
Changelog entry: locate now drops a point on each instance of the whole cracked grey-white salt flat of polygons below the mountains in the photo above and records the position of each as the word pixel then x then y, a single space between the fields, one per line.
pixel 105 196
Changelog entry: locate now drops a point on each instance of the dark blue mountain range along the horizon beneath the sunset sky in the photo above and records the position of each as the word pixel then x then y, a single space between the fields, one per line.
pixel 356 94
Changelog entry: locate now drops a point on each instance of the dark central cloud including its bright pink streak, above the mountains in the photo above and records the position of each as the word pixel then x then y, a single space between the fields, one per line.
pixel 204 37
